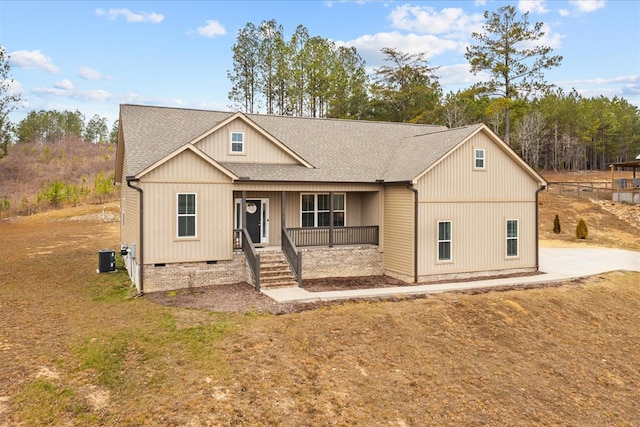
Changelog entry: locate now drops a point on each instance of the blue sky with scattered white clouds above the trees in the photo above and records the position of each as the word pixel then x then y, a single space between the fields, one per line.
pixel 92 56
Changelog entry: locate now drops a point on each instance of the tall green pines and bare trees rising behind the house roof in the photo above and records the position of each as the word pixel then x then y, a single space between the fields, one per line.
pixel 551 129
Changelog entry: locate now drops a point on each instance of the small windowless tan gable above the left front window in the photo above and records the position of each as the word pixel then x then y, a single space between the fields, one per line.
pixel 187 165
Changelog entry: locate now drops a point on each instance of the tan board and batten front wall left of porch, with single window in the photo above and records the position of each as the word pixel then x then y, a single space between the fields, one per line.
pixel 187 173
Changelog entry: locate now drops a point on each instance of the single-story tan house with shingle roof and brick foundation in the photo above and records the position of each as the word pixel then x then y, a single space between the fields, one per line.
pixel 211 197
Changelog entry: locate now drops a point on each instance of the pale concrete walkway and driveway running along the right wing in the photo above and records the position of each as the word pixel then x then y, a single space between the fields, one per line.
pixel 558 264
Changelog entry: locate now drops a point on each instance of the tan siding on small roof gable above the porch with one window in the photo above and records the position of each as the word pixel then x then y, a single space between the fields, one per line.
pixel 257 148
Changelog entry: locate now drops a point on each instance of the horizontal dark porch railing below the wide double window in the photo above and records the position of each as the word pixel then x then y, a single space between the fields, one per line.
pixel 327 236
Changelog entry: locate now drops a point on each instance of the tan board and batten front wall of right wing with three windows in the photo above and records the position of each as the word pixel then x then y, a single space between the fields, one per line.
pixel 478 203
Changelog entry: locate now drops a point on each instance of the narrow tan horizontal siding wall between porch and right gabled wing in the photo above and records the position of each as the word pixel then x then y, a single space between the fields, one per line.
pixel 398 230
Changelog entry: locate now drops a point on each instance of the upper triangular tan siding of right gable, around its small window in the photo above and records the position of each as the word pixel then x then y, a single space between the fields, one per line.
pixel 455 179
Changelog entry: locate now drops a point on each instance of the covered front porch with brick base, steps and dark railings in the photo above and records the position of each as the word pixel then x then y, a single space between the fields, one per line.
pixel 318 228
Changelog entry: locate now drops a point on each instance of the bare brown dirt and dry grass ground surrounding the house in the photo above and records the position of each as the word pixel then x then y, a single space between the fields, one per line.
pixel 78 349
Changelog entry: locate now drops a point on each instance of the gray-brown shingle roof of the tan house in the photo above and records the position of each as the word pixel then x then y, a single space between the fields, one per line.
pixel 339 150
